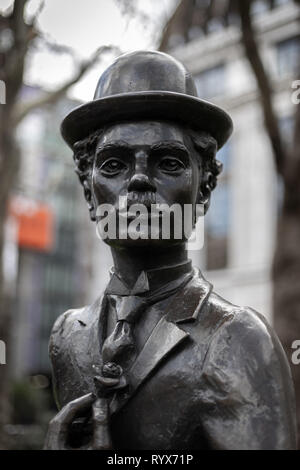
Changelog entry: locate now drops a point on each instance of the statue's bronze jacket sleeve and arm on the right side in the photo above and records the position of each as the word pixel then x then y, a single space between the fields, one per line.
pixel 248 392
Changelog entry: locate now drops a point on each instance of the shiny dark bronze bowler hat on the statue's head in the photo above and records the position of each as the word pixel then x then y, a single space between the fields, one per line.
pixel 147 85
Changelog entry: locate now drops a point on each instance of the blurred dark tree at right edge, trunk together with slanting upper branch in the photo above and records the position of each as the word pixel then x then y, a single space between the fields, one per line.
pixel 286 261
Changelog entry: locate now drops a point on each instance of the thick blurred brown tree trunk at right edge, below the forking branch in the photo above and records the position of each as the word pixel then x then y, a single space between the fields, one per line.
pixel 286 264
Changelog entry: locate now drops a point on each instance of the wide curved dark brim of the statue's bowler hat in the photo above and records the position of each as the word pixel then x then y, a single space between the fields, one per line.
pixel 153 105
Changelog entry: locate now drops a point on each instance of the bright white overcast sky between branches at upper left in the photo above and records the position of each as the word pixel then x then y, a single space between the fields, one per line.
pixel 85 25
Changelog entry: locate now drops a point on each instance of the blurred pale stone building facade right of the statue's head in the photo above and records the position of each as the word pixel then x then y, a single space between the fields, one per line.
pixel 240 226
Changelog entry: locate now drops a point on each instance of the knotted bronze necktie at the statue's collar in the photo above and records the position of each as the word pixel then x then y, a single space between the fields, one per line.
pixel 119 346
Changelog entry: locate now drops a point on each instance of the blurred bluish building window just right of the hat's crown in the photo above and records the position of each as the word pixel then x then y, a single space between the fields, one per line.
pixel 211 82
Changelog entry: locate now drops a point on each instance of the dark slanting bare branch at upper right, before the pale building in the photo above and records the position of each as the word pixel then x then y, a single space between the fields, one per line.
pixel 263 82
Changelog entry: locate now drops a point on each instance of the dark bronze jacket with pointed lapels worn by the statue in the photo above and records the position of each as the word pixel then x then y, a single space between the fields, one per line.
pixel 211 375
